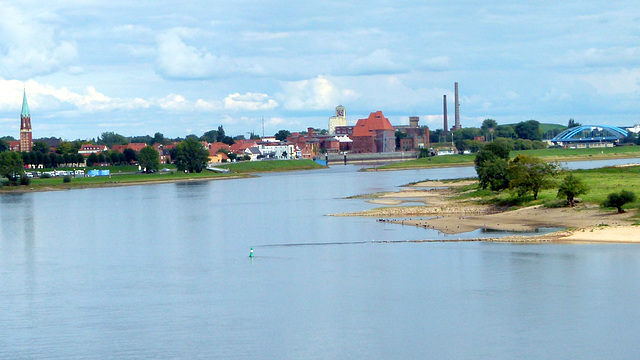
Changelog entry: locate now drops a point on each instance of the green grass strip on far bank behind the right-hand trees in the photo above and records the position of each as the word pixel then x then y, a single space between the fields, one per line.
pixel 618 152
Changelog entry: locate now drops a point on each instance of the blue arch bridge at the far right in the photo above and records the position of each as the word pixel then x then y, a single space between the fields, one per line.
pixel 590 136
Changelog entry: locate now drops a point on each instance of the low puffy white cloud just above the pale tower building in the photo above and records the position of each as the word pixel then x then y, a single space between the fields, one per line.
pixel 314 94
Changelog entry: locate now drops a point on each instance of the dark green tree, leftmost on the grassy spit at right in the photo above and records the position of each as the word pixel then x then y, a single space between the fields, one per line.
pixel 491 164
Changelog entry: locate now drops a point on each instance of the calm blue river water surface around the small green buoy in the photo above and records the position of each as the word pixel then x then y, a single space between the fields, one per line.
pixel 161 271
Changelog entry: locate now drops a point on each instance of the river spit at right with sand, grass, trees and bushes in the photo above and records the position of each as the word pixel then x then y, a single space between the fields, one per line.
pixel 520 194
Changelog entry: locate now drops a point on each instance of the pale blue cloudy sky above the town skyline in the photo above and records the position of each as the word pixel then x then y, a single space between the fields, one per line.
pixel 186 67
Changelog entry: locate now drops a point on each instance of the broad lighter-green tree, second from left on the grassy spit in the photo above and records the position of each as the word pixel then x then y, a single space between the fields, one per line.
pixel 530 174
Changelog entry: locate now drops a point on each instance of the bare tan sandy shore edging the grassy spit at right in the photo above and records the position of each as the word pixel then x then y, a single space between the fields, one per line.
pixel 586 223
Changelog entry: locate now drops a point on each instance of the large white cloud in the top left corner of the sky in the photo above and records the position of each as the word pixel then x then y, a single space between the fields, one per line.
pixel 30 45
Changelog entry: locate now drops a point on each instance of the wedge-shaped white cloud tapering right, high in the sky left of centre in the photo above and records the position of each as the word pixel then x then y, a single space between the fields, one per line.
pixel 178 60
